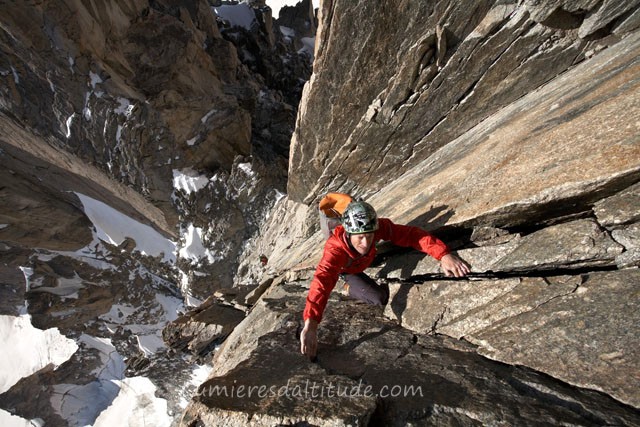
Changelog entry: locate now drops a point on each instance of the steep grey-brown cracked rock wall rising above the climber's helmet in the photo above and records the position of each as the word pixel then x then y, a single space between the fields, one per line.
pixel 380 102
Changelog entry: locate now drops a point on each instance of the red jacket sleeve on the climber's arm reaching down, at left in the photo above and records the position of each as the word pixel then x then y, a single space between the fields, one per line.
pixel 324 280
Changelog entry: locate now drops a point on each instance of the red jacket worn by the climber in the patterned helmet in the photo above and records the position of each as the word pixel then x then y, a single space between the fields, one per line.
pixel 339 257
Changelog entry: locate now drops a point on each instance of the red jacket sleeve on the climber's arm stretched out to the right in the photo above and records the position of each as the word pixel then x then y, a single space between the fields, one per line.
pixel 413 237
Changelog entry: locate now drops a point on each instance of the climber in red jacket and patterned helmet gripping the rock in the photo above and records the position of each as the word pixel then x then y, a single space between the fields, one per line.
pixel 350 249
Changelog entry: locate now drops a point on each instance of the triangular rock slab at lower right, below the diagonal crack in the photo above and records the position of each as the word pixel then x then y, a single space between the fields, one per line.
pixel 588 338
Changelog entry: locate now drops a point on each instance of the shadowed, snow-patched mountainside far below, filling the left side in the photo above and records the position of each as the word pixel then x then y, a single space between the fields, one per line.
pixel 129 103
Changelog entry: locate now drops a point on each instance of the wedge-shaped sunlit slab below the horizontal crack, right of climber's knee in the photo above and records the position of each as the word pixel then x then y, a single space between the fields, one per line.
pixel 579 329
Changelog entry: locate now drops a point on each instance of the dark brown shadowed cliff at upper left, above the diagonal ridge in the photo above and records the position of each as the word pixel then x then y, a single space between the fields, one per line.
pixel 139 90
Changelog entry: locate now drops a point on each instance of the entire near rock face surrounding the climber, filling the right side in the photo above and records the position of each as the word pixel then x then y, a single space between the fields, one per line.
pixel 530 172
